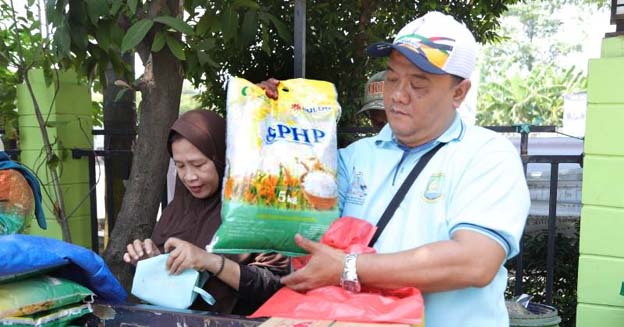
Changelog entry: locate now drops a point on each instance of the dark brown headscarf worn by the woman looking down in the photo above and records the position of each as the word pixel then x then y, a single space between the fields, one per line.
pixel 187 217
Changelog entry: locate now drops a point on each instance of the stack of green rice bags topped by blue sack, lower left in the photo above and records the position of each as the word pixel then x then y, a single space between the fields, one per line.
pixel 47 282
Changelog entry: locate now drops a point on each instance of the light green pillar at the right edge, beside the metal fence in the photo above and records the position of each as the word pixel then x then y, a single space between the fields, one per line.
pixel 601 263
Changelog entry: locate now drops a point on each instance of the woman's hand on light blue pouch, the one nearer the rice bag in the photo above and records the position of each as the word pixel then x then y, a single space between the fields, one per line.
pixel 184 255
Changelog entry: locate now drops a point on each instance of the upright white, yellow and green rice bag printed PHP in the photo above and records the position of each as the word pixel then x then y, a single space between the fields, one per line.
pixel 281 166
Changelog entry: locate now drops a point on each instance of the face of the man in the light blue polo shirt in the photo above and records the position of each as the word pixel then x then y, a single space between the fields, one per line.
pixel 420 106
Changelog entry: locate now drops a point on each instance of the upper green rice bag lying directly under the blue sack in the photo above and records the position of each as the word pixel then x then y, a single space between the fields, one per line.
pixel 42 293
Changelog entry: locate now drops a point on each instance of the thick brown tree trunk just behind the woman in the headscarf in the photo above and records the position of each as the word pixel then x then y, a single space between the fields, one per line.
pixel 159 108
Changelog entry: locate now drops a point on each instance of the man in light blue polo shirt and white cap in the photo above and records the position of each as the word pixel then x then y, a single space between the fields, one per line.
pixel 463 216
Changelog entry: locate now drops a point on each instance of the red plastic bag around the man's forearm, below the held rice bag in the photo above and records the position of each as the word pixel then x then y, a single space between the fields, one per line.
pixel 352 235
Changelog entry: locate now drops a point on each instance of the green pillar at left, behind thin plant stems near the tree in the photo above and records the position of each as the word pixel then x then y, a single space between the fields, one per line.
pixel 69 126
